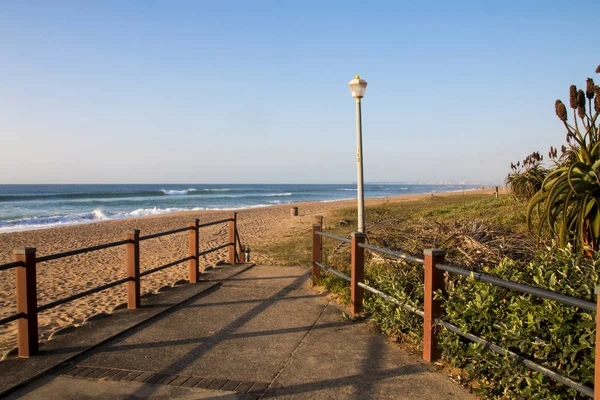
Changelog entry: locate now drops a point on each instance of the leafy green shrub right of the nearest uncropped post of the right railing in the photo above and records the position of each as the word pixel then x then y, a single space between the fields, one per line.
pixel 556 336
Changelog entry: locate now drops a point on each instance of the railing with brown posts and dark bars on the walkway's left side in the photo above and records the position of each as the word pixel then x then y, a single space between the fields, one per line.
pixel 26 261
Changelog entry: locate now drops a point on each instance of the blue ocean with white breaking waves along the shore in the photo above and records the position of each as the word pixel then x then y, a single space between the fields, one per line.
pixel 24 207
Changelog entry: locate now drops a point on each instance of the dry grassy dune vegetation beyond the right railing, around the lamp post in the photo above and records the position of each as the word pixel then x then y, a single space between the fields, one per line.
pixel 484 228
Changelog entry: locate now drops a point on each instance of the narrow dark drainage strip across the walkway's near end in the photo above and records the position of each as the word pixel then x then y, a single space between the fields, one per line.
pixel 111 374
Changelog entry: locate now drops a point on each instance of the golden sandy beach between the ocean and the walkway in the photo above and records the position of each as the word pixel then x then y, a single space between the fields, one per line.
pixel 258 228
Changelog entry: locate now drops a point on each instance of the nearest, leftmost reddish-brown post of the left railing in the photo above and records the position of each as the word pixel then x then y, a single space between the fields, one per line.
pixel 27 336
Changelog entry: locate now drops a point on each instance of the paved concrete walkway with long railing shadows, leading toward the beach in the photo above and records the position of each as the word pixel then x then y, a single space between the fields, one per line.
pixel 262 333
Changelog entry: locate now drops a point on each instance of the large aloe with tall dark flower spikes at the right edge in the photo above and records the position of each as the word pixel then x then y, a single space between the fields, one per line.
pixel 568 202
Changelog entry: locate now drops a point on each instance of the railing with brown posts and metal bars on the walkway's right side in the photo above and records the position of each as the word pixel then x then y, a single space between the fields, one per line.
pixel 434 269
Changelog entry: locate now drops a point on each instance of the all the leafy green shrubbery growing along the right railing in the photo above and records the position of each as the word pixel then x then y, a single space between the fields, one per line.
pixel 556 336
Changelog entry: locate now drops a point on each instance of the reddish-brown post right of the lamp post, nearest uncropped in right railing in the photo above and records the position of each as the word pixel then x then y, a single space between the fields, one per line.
pixel 434 281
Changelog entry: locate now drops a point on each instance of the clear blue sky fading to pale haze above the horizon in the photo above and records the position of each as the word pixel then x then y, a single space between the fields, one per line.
pixel 257 91
